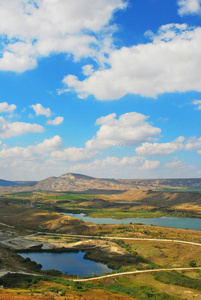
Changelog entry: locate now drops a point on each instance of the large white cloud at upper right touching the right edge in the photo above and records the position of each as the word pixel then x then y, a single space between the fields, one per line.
pixel 170 63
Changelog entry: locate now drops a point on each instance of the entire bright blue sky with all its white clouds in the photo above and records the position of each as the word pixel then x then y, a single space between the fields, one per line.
pixel 107 88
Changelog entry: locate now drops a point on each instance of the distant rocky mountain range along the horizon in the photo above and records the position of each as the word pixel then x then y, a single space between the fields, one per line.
pixel 78 183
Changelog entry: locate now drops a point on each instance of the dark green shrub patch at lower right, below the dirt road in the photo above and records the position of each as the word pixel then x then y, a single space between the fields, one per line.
pixel 178 279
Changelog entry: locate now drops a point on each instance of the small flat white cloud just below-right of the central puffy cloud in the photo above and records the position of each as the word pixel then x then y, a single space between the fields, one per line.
pixel 161 149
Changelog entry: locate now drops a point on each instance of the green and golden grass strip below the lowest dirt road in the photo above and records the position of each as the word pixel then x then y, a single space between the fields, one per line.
pixel 127 287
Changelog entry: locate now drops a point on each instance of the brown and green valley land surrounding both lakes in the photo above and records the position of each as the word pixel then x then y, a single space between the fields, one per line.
pixel 146 262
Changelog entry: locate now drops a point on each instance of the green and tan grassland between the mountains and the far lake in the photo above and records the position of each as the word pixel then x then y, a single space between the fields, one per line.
pixel 135 203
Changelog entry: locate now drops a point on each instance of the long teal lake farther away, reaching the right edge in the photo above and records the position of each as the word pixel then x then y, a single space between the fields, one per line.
pixel 174 222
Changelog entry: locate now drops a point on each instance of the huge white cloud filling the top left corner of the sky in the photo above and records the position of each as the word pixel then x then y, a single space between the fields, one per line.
pixel 42 27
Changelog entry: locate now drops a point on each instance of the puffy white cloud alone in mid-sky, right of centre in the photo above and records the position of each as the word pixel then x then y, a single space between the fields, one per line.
pixel 131 129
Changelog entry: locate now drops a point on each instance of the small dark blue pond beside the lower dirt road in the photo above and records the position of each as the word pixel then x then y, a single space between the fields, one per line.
pixel 70 263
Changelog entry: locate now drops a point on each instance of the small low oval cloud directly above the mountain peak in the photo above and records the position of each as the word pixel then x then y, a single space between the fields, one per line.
pixel 73 154
